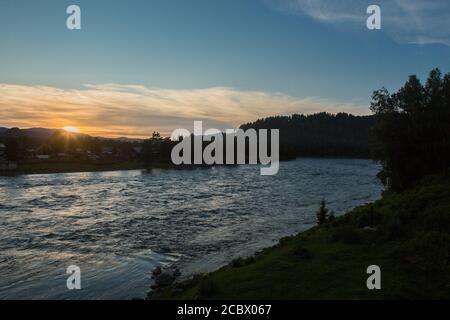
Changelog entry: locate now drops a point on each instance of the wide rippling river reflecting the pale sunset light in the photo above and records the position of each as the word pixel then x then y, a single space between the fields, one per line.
pixel 118 226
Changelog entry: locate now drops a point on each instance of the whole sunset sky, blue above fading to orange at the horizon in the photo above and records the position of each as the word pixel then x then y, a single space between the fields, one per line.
pixel 142 65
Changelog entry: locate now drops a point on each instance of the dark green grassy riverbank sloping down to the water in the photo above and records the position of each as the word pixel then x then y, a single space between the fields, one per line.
pixel 410 242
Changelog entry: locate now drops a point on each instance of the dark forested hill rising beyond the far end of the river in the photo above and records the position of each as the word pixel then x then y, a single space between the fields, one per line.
pixel 320 135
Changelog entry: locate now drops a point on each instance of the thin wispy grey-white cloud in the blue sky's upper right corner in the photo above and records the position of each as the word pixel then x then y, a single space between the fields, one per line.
pixel 406 21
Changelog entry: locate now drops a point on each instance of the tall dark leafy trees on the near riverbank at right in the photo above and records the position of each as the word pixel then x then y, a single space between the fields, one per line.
pixel 411 136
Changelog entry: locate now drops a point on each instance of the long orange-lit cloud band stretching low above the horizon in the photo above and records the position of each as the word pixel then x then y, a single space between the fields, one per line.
pixel 132 110
